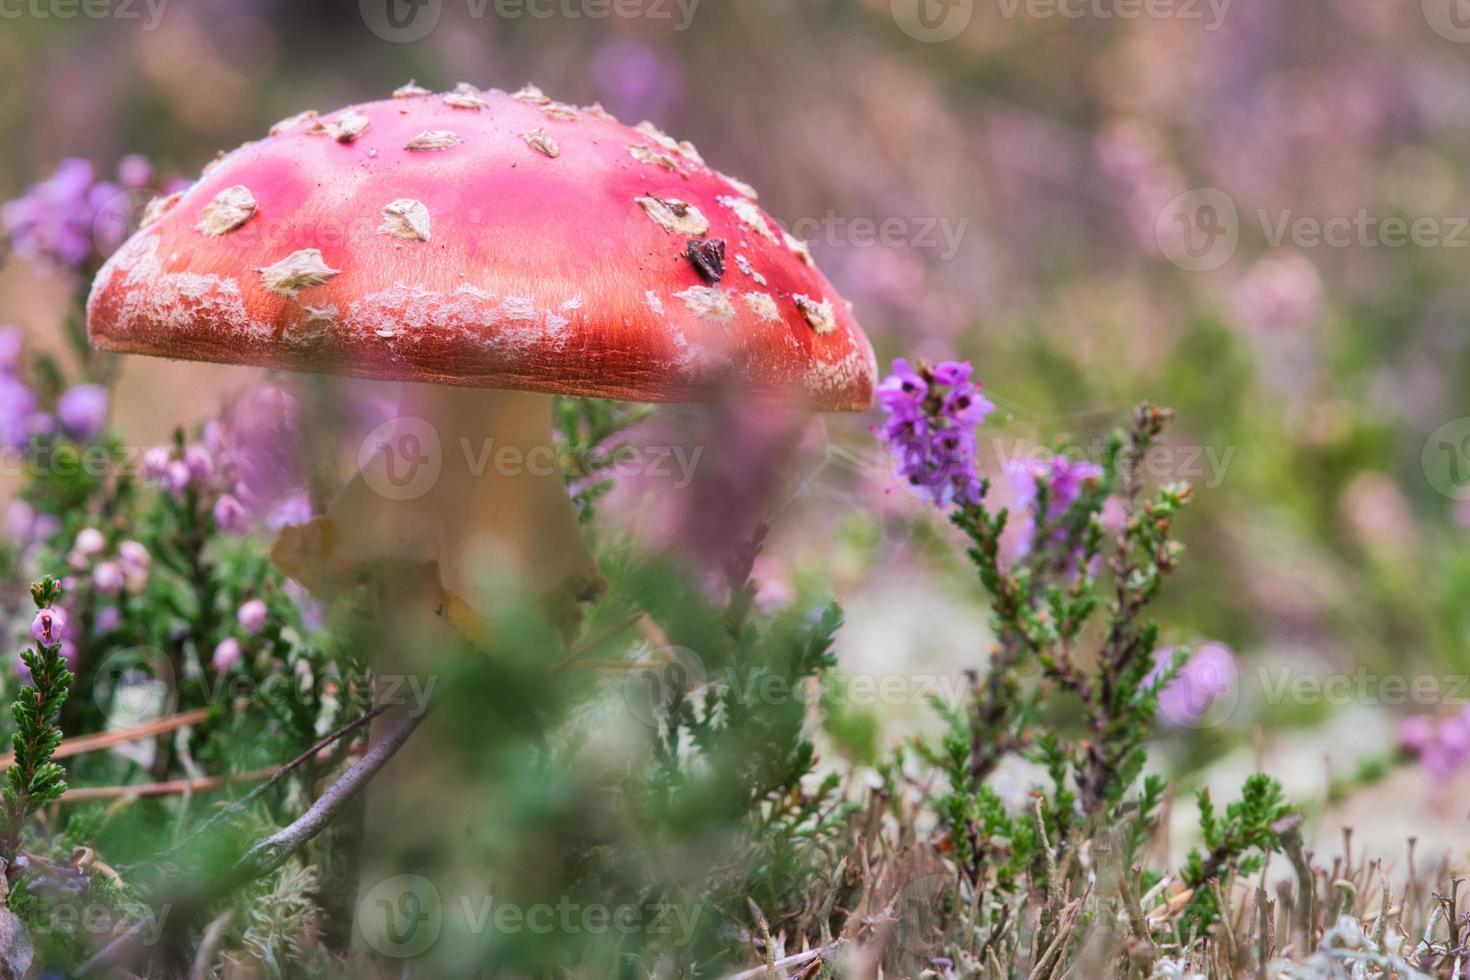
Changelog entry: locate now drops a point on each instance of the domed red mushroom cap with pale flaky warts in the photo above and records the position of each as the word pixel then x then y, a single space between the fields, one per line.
pixel 487 240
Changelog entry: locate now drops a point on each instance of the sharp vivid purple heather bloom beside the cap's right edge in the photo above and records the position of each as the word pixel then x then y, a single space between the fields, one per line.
pixel 933 414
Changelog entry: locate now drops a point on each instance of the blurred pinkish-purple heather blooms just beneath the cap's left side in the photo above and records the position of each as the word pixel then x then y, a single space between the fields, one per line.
pixel 245 469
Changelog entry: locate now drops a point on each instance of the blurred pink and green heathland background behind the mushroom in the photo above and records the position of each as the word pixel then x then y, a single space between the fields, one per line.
pixel 1253 212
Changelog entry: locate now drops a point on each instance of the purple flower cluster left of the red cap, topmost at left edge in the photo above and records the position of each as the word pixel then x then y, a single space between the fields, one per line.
pixel 73 215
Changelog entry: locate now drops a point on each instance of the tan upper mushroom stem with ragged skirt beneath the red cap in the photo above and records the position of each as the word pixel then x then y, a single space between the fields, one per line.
pixel 465 489
